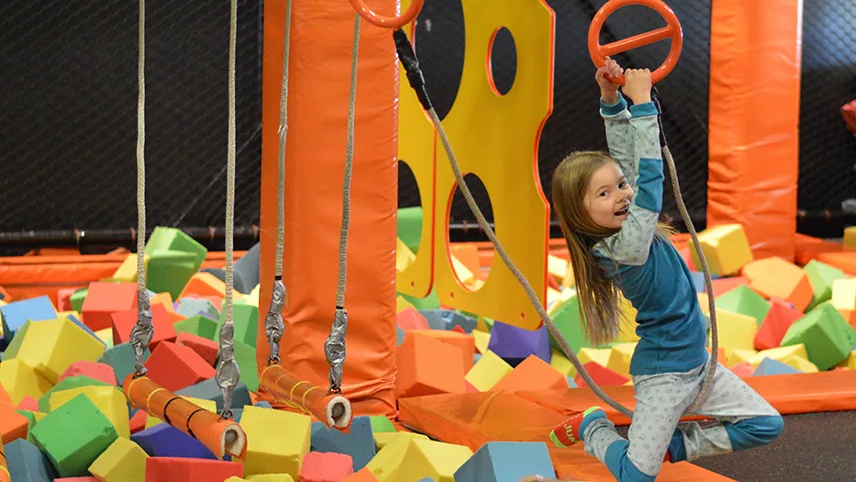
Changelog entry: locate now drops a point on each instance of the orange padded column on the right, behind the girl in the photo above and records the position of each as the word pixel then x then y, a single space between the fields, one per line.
pixel 755 51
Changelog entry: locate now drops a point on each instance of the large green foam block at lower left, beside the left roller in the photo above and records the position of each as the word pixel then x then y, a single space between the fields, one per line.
pixel 74 435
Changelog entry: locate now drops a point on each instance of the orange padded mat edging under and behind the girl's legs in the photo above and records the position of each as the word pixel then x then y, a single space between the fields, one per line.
pixel 476 418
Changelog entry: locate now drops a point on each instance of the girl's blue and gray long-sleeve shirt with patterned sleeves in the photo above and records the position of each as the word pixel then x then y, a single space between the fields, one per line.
pixel 650 271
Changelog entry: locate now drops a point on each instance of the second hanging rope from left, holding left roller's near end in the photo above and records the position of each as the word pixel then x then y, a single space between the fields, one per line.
pixel 228 373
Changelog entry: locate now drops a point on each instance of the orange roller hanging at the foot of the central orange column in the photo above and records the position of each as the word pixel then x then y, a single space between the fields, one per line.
pixel 299 395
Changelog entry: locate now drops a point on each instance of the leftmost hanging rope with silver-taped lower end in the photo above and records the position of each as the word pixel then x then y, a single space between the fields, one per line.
pixel 141 334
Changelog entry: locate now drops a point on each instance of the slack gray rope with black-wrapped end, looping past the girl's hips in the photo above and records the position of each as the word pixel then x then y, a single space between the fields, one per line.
pixel 409 61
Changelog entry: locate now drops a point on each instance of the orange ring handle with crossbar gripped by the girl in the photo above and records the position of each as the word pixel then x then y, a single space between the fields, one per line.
pixel 672 30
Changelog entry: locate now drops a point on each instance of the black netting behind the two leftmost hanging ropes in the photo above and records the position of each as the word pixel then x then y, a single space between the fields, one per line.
pixel 69 122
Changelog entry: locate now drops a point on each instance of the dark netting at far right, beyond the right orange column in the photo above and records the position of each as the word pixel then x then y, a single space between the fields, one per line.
pixel 827 148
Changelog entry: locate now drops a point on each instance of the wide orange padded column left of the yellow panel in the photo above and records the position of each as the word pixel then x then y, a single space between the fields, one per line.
pixel 320 73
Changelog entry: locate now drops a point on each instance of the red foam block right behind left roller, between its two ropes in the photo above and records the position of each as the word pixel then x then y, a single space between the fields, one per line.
pixel 176 366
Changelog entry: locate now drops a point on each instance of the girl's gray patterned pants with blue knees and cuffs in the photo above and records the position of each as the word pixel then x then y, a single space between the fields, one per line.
pixel 743 420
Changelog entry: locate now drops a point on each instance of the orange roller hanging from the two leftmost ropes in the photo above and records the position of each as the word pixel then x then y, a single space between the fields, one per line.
pixel 217 434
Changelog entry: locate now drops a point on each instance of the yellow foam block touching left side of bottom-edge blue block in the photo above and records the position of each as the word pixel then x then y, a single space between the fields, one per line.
pixel 437 460
